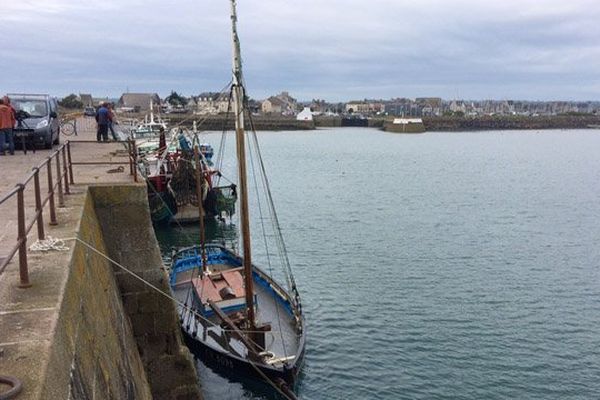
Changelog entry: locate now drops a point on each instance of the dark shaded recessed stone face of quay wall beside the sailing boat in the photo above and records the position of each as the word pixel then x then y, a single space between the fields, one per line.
pixel 125 223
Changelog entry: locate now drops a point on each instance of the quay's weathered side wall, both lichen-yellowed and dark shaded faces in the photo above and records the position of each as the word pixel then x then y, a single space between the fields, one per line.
pixel 115 337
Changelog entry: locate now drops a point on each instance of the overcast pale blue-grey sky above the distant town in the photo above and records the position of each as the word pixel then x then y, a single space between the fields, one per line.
pixel 336 50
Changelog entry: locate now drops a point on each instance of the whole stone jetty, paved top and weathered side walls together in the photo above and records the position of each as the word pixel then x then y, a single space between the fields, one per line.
pixel 85 310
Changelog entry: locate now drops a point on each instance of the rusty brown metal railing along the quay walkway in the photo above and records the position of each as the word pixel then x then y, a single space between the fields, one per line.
pixel 59 174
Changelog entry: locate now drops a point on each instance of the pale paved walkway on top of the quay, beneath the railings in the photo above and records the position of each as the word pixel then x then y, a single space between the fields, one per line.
pixel 27 316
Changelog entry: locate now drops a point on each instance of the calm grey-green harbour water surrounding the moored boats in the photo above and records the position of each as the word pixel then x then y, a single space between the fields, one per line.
pixel 438 266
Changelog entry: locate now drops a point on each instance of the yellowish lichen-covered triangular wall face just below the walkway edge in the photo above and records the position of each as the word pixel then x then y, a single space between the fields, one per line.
pixel 93 353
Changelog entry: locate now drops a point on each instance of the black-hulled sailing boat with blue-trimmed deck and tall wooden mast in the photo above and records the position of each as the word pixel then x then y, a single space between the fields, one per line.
pixel 234 315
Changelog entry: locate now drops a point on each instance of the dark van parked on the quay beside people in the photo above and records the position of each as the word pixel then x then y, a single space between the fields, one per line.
pixel 37 117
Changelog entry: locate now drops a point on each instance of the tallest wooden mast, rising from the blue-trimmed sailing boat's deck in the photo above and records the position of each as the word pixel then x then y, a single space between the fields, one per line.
pixel 238 106
